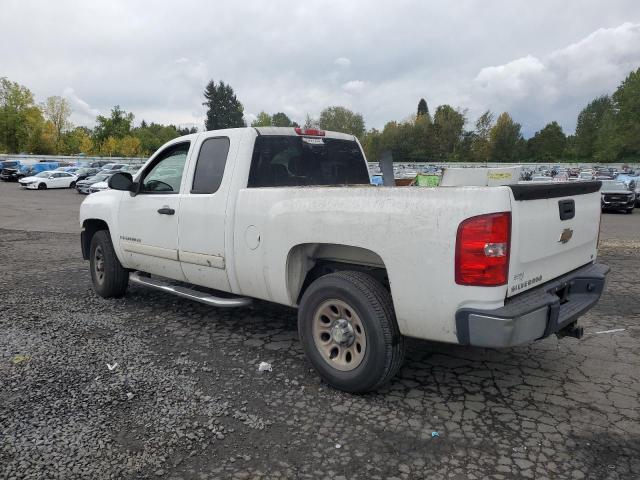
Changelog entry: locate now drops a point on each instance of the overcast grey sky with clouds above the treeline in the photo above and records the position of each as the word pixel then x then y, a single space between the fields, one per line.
pixel 540 61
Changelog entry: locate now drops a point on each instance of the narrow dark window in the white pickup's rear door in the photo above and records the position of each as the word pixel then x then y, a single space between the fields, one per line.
pixel 210 166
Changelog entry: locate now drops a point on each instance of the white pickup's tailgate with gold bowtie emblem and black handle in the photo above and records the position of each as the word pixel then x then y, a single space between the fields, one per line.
pixel 554 230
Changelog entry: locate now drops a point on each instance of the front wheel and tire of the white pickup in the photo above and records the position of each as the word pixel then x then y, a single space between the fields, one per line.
pixel 110 279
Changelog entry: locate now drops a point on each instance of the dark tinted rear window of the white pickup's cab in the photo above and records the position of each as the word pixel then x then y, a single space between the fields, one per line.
pixel 287 160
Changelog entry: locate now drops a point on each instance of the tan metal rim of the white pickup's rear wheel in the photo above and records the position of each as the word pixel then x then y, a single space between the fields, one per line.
pixel 339 335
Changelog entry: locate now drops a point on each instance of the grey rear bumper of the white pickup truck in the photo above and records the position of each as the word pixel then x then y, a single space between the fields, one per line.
pixel 536 313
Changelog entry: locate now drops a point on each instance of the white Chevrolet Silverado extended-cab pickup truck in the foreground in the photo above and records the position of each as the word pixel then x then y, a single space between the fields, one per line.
pixel 289 216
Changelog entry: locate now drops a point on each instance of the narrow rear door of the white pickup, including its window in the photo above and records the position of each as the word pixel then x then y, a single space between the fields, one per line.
pixel 203 212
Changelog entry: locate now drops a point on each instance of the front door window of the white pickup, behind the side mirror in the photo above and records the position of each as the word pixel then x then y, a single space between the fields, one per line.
pixel 166 171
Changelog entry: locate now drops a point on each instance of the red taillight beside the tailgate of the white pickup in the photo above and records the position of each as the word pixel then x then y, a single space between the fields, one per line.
pixel 482 250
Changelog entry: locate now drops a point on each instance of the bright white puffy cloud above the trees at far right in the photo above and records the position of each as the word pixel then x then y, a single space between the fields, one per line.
pixel 557 85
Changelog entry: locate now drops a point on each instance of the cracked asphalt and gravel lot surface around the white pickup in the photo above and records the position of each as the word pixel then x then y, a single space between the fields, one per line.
pixel 153 386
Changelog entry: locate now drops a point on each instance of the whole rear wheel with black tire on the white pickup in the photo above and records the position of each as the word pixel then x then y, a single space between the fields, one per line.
pixel 365 352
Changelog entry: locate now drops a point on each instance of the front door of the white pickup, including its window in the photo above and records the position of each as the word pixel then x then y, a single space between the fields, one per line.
pixel 149 220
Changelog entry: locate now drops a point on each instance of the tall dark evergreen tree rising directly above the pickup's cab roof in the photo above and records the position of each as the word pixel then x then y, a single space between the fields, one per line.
pixel 224 110
